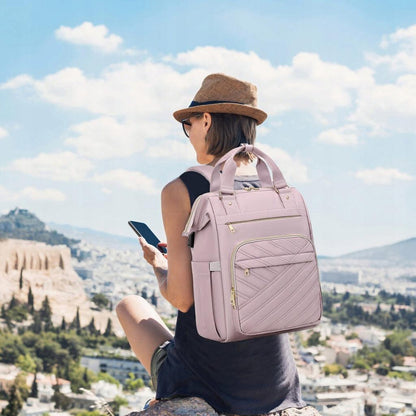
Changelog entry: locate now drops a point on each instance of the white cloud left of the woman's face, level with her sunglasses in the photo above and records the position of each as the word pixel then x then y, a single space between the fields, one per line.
pixel 106 138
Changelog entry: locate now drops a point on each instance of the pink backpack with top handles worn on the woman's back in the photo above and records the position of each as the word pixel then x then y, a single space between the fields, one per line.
pixel 254 264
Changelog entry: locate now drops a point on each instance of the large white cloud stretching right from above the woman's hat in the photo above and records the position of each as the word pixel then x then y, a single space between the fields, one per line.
pixel 308 84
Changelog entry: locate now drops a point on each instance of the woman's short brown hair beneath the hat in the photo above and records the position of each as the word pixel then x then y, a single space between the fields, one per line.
pixel 228 131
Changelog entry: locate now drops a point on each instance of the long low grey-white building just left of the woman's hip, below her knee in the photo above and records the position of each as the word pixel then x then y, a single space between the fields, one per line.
pixel 116 367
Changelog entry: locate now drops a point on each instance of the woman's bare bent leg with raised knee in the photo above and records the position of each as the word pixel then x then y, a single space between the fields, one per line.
pixel 144 328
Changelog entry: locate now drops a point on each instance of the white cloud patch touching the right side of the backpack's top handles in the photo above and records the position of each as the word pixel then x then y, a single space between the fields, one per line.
pixel 292 169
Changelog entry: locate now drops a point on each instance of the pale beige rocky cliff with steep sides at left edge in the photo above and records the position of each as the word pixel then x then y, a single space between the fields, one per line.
pixel 47 270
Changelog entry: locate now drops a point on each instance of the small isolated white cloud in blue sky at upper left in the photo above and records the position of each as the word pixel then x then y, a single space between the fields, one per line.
pixel 88 34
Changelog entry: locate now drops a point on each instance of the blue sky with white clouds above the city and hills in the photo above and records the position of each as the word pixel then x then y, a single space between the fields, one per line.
pixel 87 90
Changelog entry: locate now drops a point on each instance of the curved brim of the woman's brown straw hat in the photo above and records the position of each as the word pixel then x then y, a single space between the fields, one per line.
pixel 228 108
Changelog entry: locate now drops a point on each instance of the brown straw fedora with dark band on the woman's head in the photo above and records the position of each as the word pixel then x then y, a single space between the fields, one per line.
pixel 220 93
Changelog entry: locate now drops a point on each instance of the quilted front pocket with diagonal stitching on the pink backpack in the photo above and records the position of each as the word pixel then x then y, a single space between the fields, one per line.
pixel 275 284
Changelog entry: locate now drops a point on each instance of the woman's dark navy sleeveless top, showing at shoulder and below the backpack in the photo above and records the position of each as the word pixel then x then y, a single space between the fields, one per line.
pixel 244 377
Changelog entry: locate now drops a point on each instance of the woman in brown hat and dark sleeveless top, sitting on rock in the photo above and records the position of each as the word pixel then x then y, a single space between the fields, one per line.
pixel 246 377
